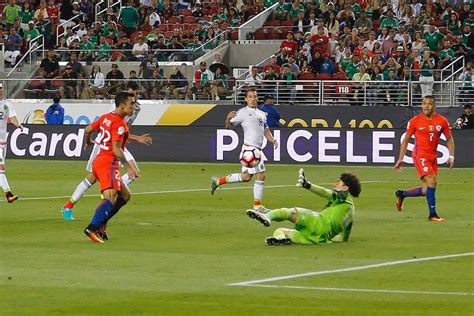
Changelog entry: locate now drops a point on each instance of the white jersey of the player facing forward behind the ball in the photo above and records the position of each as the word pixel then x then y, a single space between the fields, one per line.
pixel 253 122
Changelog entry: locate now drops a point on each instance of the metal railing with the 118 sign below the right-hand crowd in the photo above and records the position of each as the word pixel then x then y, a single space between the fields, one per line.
pixel 364 93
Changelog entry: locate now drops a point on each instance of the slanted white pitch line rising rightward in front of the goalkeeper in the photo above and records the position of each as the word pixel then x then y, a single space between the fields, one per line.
pixel 358 268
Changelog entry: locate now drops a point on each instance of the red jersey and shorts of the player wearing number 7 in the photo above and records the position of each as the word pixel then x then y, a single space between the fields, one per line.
pixel 427 133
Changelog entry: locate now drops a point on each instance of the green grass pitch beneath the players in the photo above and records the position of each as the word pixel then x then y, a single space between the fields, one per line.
pixel 175 249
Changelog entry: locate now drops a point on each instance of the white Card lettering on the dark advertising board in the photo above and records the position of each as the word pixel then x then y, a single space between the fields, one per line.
pixel 24 143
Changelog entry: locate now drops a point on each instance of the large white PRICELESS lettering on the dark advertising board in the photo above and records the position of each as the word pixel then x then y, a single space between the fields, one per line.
pixel 327 146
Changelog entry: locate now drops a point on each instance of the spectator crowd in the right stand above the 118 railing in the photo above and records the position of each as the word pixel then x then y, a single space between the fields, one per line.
pixel 368 40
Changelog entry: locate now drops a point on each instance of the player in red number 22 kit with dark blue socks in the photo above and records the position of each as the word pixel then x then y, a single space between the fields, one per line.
pixel 113 137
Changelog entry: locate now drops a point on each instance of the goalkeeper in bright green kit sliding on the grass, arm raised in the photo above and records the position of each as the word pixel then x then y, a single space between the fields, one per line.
pixel 334 223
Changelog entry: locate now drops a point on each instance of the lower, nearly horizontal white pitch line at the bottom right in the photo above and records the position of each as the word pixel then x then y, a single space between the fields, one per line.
pixel 359 290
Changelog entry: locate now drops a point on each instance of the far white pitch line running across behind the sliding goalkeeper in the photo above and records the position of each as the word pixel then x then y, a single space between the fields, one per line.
pixel 174 191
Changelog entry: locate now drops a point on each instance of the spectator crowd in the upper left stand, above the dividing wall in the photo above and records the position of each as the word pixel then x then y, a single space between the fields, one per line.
pixel 135 28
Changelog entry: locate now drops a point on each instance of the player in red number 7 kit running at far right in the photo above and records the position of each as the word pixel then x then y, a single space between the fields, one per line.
pixel 427 128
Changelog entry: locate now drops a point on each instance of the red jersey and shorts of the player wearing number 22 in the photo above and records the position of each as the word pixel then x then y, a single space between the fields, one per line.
pixel 112 128
